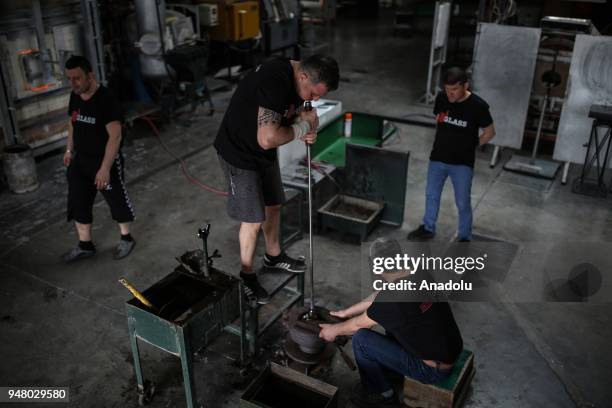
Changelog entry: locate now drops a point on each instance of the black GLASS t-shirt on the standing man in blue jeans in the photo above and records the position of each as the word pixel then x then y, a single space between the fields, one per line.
pixel 457 132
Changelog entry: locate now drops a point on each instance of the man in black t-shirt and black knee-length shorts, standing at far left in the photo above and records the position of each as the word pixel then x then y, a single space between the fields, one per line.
pixel 94 160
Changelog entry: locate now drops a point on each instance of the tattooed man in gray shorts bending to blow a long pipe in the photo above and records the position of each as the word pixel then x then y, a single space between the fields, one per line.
pixel 264 113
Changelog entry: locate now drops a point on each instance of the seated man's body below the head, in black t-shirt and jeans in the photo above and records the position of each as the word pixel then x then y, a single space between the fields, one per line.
pixel 421 341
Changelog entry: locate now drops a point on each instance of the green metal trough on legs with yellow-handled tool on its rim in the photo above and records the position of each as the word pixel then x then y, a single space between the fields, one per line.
pixel 189 312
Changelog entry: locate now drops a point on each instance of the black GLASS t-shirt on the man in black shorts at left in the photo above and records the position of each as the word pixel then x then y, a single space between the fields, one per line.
pixel 89 119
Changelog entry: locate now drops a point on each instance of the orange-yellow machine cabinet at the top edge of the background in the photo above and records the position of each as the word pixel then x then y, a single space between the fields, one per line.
pixel 238 20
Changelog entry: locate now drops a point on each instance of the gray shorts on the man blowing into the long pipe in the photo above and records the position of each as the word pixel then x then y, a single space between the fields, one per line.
pixel 250 191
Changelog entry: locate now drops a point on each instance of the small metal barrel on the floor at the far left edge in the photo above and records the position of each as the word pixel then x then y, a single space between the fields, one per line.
pixel 20 168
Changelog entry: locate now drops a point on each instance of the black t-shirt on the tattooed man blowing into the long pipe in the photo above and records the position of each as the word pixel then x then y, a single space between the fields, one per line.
pixel 271 86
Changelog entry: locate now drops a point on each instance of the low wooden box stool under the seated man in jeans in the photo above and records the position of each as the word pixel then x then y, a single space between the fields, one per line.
pixel 448 393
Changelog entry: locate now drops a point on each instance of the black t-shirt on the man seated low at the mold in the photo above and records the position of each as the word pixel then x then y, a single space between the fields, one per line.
pixel 428 330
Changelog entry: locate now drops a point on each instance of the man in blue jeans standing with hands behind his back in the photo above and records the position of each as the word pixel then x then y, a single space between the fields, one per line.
pixel 460 114
